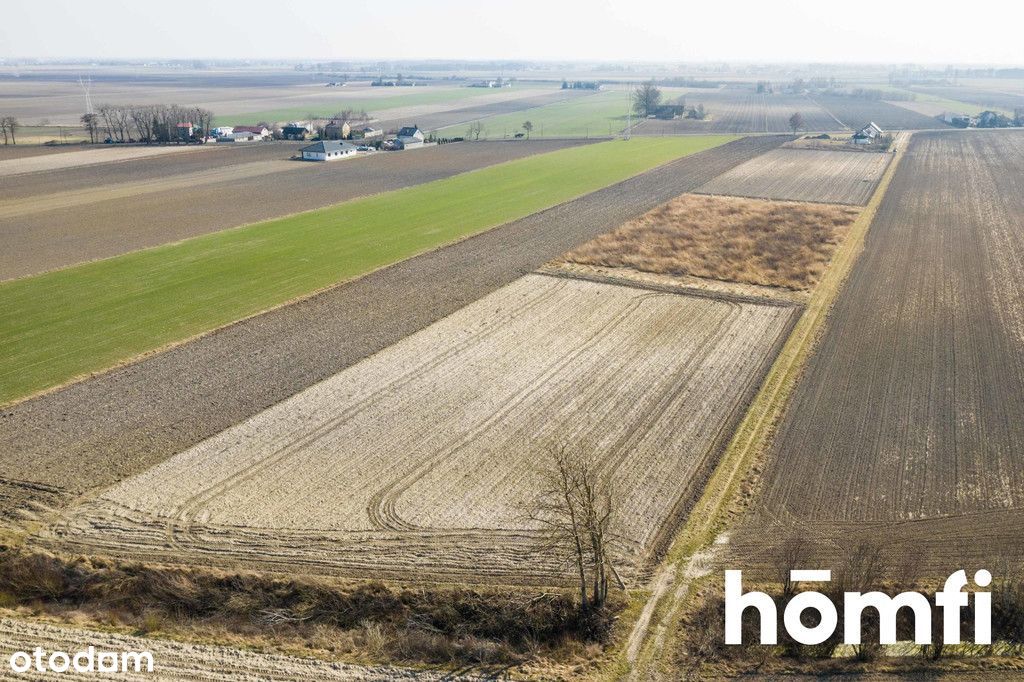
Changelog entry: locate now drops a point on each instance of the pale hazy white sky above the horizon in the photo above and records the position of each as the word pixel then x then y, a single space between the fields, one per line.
pixel 890 31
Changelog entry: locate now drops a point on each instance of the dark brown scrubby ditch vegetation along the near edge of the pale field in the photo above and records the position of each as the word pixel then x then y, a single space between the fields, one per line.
pixel 333 620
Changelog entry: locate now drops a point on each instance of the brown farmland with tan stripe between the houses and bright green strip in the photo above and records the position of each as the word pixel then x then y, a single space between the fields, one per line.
pixel 102 219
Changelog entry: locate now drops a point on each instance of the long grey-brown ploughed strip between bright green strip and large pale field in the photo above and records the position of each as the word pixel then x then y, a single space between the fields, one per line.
pixel 99 432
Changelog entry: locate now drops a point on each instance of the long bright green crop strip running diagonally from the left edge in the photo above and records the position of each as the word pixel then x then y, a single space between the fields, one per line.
pixel 61 325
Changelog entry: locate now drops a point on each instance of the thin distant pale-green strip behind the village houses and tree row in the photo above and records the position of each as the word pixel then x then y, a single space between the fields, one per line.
pixel 329 106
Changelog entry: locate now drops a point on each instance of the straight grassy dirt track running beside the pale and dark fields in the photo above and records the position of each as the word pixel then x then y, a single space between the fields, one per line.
pixel 719 504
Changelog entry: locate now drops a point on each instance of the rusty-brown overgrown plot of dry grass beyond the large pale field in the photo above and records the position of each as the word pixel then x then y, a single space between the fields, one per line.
pixel 738 240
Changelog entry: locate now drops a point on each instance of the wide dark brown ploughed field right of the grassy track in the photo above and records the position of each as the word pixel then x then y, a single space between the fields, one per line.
pixel 908 423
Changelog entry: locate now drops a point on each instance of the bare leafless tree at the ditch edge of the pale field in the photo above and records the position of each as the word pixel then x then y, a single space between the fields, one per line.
pixel 575 507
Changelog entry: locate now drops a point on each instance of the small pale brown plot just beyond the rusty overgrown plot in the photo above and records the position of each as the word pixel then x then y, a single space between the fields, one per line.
pixel 804 176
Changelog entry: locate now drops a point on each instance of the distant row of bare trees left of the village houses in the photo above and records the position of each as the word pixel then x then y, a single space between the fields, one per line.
pixel 147 123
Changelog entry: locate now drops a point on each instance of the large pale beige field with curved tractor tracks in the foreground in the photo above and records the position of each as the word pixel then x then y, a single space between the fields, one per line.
pixel 421 459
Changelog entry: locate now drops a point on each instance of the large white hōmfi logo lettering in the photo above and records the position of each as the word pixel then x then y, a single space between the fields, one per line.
pixel 951 600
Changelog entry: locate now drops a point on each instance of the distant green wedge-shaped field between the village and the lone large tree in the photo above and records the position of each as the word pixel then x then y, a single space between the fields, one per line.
pixel 599 115
